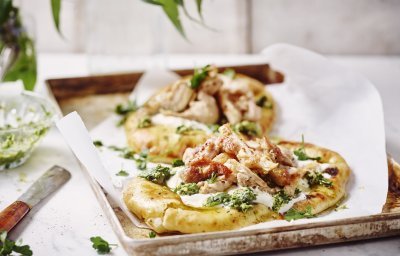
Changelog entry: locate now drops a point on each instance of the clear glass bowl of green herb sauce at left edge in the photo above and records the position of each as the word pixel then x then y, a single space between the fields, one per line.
pixel 25 118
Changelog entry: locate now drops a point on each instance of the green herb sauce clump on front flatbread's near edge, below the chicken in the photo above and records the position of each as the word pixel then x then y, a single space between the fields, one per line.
pixel 241 199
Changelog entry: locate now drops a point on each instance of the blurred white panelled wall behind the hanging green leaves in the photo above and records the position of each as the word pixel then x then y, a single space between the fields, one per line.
pixel 244 26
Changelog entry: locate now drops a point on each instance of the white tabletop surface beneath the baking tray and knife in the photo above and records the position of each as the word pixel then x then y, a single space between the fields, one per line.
pixel 63 224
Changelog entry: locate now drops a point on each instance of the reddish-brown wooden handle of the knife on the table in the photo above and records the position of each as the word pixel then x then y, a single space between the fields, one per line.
pixel 13 214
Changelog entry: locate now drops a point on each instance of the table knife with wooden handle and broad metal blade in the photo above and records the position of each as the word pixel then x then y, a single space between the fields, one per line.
pixel 49 182
